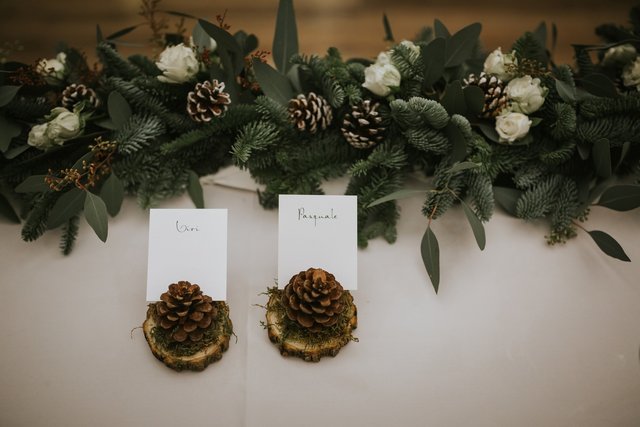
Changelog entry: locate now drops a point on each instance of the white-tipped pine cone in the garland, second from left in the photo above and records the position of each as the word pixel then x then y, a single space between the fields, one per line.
pixel 207 100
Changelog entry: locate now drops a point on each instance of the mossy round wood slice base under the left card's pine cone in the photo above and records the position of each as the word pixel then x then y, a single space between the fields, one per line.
pixel 190 356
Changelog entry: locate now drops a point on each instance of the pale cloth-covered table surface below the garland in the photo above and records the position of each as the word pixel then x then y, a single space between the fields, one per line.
pixel 520 334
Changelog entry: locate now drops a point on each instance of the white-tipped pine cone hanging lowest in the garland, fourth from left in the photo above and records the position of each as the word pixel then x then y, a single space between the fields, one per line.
pixel 362 127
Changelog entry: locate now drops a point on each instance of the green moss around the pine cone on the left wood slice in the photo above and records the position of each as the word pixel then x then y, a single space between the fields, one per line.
pixel 220 326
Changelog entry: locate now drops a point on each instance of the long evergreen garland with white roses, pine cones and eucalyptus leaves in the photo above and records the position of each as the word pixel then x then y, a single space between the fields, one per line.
pixel 542 140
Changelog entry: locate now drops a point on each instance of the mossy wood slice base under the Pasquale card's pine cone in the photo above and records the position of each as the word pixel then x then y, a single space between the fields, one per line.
pixel 294 340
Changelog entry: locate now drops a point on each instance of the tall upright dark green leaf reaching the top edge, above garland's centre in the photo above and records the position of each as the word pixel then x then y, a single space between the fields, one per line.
pixel 285 39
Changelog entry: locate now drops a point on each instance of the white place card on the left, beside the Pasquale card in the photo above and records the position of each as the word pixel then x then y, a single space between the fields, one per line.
pixel 187 244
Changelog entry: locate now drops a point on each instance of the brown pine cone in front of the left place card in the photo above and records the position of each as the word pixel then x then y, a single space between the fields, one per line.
pixel 185 311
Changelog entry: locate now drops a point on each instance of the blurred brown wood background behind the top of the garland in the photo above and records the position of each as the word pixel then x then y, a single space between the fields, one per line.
pixel 354 26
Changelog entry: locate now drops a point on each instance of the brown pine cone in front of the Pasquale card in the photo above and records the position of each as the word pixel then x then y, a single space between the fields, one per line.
pixel 312 298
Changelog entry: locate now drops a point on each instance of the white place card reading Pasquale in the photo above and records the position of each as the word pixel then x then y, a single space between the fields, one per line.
pixel 319 232
